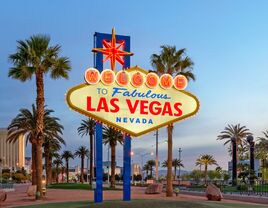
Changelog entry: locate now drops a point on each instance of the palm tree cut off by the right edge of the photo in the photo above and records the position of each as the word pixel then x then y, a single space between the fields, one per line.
pixel 261 150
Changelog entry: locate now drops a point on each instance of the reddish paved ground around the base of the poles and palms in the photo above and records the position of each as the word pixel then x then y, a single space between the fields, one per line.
pixel 20 198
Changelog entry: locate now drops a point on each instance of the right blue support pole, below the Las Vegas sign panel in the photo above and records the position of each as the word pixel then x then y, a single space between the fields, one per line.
pixel 127 169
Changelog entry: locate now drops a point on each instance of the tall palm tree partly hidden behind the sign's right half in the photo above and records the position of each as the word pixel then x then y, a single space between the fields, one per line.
pixel 174 62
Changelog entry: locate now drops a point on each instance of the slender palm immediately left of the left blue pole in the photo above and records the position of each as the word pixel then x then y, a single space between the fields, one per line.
pixel 87 127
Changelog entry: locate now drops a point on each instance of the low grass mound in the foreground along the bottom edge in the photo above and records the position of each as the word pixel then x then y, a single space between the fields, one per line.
pixel 146 204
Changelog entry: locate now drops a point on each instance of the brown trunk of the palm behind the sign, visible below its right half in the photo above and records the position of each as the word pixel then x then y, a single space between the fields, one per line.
pixel 169 191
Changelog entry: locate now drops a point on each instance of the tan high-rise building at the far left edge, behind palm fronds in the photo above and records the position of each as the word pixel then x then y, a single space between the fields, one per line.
pixel 12 154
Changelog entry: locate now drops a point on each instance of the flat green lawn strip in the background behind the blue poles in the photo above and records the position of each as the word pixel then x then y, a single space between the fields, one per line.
pixel 75 186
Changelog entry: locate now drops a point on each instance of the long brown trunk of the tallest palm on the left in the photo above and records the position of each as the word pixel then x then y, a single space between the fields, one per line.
pixel 40 102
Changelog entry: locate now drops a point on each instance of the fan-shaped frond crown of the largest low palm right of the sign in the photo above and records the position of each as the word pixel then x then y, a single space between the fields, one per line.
pixel 238 132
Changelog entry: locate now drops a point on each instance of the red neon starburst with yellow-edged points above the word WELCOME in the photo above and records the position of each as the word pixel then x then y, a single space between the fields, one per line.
pixel 114 50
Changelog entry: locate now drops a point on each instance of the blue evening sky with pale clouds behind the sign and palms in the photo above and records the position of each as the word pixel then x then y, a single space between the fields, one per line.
pixel 227 40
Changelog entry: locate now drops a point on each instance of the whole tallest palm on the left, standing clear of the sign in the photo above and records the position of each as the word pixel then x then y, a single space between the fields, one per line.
pixel 35 57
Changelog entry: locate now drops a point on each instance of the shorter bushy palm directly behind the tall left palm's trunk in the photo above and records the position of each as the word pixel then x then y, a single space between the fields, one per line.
pixel 25 123
